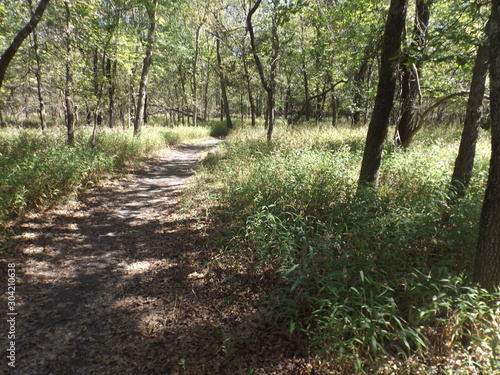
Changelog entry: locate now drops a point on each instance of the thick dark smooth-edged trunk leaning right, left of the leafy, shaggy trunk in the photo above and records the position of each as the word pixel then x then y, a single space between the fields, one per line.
pixel 377 130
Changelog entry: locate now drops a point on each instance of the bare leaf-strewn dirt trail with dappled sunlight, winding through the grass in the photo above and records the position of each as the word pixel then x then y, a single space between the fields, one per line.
pixel 125 281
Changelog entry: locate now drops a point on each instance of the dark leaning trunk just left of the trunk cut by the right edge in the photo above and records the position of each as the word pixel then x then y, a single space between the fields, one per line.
pixel 467 151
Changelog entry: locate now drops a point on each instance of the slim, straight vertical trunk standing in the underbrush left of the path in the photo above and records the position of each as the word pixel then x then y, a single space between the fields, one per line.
pixel 68 89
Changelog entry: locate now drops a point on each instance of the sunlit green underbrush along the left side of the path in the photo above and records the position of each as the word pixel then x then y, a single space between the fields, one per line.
pixel 39 171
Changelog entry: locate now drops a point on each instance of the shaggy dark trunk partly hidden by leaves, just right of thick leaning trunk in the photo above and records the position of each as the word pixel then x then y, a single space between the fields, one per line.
pixel 410 81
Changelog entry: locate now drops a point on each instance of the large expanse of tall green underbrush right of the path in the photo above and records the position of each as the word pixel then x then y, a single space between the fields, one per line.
pixel 378 280
